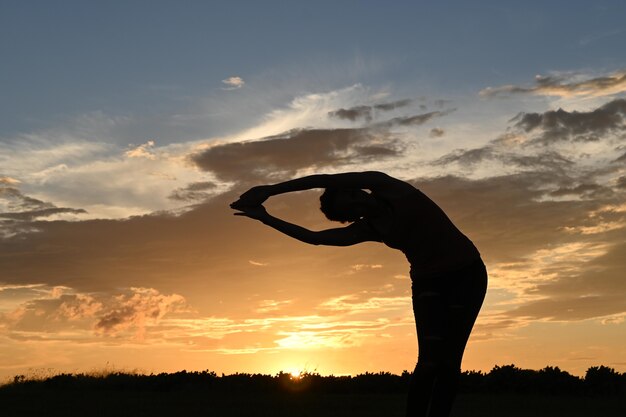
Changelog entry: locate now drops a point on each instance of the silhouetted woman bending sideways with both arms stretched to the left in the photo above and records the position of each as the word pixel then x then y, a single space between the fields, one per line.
pixel 449 279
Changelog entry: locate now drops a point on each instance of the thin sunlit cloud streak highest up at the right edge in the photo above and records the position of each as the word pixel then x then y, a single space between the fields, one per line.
pixel 566 86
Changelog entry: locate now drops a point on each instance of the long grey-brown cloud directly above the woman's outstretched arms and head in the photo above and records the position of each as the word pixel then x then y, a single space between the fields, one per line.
pixel 280 157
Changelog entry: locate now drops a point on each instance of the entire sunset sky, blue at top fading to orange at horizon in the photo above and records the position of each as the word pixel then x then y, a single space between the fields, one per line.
pixel 126 129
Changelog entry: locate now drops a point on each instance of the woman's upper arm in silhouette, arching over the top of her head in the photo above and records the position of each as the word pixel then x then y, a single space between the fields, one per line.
pixel 370 180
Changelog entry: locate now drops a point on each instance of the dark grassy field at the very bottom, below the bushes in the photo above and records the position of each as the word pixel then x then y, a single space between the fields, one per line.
pixel 180 403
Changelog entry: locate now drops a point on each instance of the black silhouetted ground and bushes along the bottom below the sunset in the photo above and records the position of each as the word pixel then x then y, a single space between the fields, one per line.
pixel 506 391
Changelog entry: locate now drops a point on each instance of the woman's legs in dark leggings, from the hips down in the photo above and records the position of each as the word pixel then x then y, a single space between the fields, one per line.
pixel 445 309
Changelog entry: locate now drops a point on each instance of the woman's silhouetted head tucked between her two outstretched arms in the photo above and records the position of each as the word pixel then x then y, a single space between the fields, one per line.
pixel 343 204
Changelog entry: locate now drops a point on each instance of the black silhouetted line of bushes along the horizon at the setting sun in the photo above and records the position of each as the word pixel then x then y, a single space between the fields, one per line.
pixel 598 381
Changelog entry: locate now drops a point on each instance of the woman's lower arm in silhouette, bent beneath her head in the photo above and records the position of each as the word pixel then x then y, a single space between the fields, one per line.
pixel 344 236
